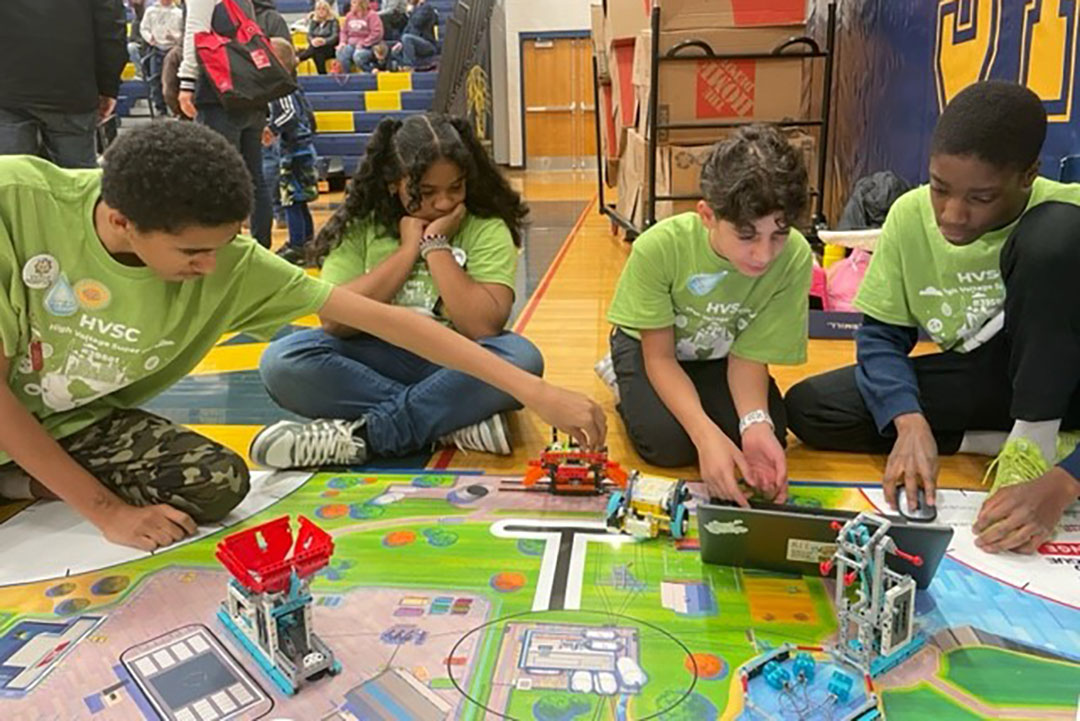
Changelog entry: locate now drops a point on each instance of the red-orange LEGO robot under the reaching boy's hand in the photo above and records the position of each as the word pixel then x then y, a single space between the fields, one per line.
pixel 569 470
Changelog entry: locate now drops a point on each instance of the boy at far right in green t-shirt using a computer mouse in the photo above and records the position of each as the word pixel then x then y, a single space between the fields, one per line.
pixel 985 260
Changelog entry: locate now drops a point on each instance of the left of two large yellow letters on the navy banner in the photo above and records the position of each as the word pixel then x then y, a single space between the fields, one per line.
pixel 968 33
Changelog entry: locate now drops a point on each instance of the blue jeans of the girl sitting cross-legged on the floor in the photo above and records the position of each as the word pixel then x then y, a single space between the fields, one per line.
pixel 409 402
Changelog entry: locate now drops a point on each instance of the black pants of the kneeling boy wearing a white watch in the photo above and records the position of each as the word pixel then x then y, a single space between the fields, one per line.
pixel 657 436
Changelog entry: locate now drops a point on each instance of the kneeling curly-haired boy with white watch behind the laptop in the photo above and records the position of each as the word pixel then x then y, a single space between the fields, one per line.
pixel 707 301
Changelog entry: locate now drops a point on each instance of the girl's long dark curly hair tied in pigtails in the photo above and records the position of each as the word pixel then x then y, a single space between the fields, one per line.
pixel 406 151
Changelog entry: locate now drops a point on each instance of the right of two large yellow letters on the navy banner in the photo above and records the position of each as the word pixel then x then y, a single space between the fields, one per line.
pixel 1049 53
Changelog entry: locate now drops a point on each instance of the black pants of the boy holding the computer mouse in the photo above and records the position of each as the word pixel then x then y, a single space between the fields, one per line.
pixel 1030 372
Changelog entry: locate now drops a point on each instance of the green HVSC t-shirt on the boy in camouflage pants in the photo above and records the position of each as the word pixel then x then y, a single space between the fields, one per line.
pixel 87 335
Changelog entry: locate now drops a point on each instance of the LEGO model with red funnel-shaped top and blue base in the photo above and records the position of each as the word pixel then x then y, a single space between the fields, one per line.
pixel 268 607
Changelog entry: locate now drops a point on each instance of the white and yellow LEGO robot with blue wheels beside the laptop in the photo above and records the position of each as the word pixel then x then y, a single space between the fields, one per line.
pixel 649 508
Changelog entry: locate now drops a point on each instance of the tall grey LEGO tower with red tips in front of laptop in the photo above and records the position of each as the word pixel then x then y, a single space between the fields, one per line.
pixel 877 625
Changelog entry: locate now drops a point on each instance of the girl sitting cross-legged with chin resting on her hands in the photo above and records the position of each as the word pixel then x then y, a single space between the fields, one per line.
pixel 431 225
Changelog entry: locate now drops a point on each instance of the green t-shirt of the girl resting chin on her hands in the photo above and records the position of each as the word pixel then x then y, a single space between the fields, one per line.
pixel 483 244
